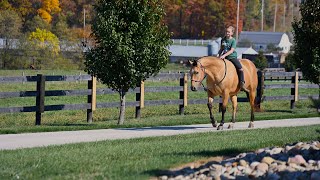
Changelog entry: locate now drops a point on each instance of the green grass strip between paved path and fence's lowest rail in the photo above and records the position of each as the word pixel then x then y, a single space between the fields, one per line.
pixel 151 116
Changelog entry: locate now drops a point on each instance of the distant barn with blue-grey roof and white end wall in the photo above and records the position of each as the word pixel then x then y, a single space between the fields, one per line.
pixel 261 40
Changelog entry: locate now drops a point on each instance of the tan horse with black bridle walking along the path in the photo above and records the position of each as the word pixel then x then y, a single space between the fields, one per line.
pixel 222 80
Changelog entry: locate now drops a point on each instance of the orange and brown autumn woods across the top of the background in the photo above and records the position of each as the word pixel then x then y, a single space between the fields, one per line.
pixel 196 19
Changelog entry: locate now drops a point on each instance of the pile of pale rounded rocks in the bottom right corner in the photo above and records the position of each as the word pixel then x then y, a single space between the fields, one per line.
pixel 293 161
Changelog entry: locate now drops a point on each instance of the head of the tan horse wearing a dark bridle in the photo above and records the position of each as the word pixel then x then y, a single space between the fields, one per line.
pixel 197 74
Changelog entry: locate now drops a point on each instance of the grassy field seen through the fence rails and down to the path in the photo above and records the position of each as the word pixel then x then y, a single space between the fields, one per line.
pixel 151 116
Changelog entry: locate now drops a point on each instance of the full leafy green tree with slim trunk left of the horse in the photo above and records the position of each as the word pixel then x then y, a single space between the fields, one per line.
pixel 131 44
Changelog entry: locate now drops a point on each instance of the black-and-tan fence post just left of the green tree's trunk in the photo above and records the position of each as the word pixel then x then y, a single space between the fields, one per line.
pixel 92 98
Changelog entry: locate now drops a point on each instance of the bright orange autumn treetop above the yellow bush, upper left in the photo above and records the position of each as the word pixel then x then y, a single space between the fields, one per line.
pixel 48 8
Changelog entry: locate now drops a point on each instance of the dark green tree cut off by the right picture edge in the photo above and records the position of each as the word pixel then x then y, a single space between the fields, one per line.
pixel 306 34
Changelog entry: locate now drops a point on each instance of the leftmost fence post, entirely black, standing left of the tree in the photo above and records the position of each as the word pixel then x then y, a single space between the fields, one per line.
pixel 40 97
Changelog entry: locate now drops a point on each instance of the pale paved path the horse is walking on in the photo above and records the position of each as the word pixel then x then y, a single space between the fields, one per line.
pixel 28 140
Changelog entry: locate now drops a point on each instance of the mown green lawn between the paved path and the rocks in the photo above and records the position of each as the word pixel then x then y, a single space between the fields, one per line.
pixel 141 158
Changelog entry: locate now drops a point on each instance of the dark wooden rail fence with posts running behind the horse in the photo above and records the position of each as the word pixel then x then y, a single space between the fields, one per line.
pixel 140 102
